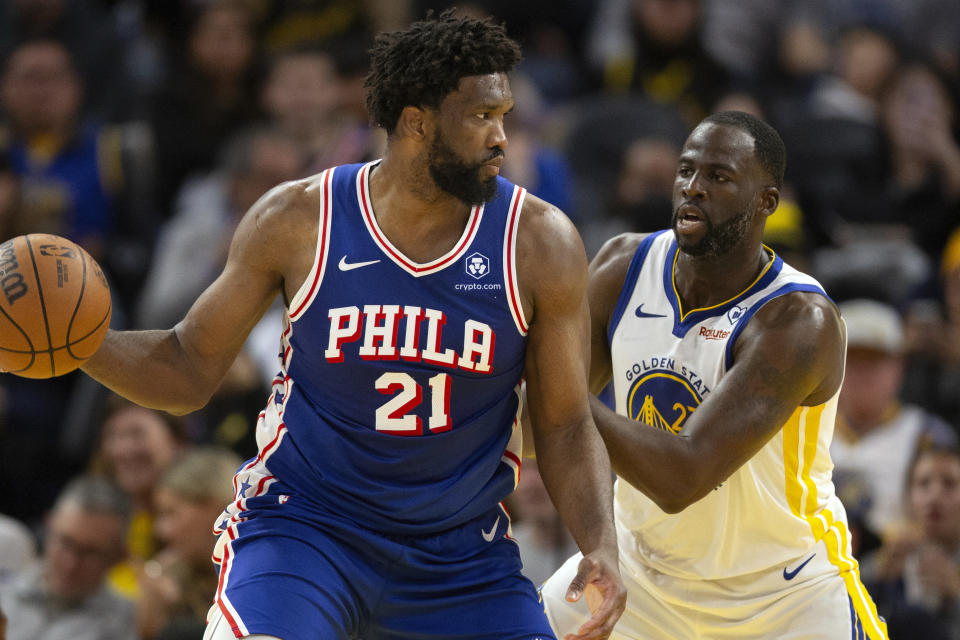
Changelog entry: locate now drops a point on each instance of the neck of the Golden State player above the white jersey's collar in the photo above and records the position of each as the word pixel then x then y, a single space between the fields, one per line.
pixel 705 281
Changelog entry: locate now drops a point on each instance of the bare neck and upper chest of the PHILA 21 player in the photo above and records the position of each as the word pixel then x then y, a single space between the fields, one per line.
pixel 418 218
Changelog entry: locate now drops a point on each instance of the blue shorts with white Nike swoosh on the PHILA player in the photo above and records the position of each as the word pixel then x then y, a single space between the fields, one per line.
pixel 303 574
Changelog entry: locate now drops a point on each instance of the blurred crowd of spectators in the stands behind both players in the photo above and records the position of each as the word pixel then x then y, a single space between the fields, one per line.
pixel 142 129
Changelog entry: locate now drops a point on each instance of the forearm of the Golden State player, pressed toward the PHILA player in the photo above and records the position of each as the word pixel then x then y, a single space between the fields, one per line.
pixel 661 465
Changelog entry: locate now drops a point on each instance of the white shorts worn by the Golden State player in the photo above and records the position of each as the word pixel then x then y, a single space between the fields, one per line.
pixel 800 601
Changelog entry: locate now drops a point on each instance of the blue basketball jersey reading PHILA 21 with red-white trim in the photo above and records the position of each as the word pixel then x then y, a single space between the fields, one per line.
pixel 398 398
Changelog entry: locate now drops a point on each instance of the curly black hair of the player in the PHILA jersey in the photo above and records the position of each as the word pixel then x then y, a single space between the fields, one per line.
pixel 423 64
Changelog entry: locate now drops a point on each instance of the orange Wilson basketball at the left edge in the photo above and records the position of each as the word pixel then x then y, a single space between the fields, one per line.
pixel 54 306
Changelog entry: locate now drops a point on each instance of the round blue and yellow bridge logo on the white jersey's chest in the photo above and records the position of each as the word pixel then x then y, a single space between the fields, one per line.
pixel 662 399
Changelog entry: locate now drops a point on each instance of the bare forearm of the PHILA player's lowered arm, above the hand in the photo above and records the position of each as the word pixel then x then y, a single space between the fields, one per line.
pixel 576 471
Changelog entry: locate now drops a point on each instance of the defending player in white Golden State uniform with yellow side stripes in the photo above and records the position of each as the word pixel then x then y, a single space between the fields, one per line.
pixel 731 361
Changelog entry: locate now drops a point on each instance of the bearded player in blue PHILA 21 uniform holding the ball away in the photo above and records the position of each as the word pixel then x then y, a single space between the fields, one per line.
pixel 420 290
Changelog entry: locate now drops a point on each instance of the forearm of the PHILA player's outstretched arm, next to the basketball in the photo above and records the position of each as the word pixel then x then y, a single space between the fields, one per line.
pixel 152 369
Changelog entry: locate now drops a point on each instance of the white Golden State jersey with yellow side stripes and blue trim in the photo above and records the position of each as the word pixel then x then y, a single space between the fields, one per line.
pixel 667 361
